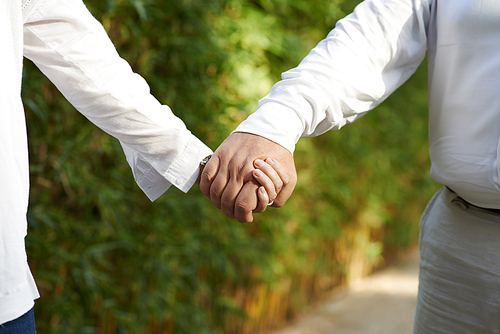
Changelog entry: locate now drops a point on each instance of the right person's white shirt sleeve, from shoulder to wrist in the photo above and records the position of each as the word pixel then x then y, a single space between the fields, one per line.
pixel 368 55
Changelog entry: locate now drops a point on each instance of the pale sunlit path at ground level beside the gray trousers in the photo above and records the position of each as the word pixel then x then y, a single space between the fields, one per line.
pixel 383 303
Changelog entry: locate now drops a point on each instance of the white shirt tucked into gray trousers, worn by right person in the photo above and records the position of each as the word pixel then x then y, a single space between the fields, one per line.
pixel 376 49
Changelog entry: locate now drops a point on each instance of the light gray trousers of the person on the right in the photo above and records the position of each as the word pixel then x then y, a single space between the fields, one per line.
pixel 459 281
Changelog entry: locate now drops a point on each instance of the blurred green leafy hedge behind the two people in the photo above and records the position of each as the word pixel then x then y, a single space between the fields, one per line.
pixel 107 260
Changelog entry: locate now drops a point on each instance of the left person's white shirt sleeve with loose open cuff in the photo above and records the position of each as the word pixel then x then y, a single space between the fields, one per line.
pixel 73 50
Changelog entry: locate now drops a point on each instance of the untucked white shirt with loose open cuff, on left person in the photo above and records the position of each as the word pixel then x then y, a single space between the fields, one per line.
pixel 72 49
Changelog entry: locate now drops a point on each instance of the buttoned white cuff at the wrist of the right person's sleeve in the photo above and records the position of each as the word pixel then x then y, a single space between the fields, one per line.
pixel 275 122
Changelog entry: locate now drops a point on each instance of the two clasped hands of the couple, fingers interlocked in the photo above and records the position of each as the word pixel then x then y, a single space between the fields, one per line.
pixel 246 173
